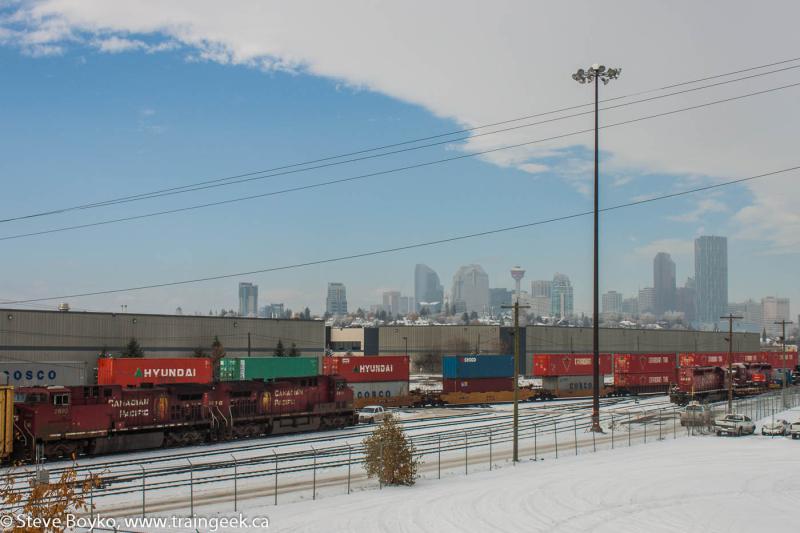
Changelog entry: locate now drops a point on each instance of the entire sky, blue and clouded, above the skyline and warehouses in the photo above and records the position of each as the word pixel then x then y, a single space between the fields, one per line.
pixel 102 100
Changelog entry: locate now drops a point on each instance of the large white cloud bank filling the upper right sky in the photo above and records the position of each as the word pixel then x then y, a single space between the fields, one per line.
pixel 480 62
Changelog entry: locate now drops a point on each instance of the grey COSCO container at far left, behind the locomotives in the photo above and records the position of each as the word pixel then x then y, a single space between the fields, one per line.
pixel 33 374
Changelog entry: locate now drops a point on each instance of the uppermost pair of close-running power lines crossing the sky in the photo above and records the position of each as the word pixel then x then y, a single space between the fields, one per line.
pixel 218 182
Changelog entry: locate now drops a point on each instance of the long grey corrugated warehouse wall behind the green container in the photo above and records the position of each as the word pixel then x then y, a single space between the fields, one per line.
pixel 73 336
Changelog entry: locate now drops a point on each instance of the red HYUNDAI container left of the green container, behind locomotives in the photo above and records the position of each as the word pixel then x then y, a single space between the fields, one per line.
pixel 135 371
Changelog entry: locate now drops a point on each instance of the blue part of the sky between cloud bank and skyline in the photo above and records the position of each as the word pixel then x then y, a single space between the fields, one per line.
pixel 82 124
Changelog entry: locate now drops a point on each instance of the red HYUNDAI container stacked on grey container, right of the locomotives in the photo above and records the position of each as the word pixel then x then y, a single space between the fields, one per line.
pixel 384 376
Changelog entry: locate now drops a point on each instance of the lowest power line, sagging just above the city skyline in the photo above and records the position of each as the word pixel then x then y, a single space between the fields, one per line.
pixel 416 245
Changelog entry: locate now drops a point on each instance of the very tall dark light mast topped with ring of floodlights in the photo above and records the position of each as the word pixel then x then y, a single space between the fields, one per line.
pixel 595 74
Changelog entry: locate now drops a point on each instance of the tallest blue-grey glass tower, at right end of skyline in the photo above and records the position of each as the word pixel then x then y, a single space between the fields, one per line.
pixel 711 278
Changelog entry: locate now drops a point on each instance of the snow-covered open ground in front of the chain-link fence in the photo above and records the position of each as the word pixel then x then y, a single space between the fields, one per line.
pixel 705 483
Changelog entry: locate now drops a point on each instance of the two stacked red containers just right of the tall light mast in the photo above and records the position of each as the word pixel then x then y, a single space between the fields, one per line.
pixel 642 373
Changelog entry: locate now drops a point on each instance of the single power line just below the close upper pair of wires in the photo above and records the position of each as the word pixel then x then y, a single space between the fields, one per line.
pixel 389 171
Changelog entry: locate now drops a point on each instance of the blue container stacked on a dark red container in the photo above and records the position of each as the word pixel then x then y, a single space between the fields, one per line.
pixel 477 373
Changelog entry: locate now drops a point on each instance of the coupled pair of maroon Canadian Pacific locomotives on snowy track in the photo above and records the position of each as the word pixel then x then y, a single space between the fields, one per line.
pixel 109 418
